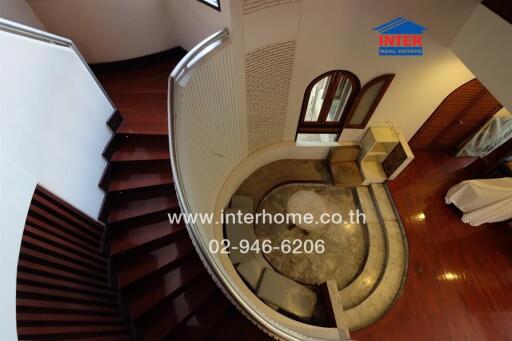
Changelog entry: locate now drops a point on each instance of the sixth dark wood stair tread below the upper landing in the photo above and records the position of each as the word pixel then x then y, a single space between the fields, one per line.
pixel 152 291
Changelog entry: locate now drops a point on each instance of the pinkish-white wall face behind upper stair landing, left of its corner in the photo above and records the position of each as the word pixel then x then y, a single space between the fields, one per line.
pixel 110 30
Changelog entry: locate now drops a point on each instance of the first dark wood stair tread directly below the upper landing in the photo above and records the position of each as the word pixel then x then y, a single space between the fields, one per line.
pixel 141 148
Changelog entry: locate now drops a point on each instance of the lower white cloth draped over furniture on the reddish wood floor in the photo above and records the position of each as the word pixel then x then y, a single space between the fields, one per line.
pixel 482 201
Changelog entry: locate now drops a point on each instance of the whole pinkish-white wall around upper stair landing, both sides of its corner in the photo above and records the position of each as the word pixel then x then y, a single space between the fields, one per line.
pixel 112 30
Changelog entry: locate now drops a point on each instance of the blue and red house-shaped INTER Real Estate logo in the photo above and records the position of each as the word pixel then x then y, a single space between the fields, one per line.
pixel 400 37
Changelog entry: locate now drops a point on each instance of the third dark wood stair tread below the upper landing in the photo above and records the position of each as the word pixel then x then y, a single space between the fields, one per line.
pixel 130 205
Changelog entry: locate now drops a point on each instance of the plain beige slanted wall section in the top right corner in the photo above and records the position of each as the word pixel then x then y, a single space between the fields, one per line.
pixel 484 44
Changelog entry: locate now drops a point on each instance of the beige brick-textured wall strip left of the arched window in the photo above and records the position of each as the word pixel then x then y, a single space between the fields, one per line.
pixel 270 34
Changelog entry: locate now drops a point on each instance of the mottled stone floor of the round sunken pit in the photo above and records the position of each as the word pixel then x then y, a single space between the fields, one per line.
pixel 345 244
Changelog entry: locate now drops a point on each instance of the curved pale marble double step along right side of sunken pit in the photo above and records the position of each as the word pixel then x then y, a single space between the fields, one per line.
pixel 384 271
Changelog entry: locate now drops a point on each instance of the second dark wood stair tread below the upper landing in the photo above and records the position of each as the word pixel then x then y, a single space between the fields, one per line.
pixel 140 175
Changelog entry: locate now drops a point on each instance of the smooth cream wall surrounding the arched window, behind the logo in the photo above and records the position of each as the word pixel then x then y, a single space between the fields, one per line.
pixel 339 35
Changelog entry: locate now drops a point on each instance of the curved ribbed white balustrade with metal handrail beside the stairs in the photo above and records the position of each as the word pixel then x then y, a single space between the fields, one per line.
pixel 208 142
